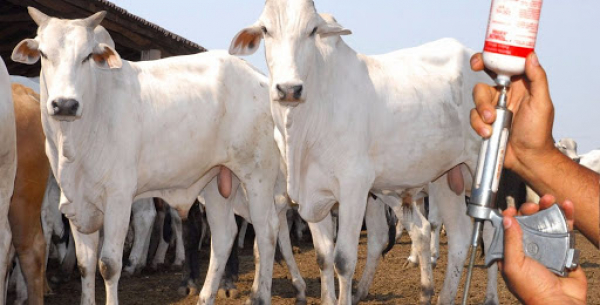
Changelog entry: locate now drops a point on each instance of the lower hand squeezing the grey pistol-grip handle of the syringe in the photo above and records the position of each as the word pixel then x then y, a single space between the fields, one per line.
pixel 526 278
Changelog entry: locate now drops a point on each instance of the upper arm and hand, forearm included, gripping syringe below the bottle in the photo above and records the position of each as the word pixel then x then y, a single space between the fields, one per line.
pixel 531 152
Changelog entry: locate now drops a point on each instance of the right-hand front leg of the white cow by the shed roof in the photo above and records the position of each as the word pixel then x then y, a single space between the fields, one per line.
pixel 116 224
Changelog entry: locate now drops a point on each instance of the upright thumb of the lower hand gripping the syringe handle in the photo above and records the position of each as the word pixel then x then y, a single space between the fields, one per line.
pixel 514 256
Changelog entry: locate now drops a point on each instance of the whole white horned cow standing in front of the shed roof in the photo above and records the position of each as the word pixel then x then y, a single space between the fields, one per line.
pixel 118 131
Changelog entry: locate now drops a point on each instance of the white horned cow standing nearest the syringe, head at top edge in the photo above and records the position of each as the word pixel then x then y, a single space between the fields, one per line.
pixel 349 125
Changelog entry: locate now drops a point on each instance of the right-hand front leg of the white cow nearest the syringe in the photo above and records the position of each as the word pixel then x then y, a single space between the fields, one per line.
pixel 353 201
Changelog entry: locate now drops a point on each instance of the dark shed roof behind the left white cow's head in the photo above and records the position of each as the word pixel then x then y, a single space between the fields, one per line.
pixel 135 38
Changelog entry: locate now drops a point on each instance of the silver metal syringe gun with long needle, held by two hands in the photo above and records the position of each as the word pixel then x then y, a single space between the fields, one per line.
pixel 546 237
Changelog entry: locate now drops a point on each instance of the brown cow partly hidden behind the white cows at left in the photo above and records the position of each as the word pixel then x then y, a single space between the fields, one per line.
pixel 30 184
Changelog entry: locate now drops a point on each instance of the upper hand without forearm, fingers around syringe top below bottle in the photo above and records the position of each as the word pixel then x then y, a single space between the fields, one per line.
pixel 533 114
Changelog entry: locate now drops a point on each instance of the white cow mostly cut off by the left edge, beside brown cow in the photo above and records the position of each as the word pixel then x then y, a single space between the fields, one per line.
pixel 8 168
